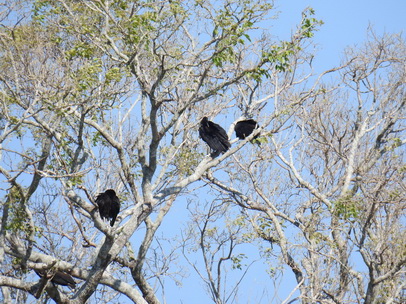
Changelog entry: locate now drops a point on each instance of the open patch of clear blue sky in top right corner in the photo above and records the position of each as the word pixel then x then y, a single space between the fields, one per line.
pixel 345 23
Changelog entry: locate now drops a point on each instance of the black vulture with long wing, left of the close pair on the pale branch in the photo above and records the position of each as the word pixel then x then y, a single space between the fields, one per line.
pixel 214 136
